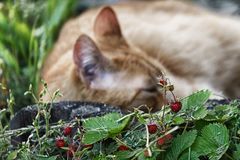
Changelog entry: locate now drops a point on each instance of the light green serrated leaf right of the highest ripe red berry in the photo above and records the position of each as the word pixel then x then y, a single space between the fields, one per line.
pixel 196 99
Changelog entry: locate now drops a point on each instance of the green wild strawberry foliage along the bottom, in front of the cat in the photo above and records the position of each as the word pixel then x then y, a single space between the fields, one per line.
pixel 198 132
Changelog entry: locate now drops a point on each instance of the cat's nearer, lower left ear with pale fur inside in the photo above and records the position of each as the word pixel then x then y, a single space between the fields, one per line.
pixel 91 64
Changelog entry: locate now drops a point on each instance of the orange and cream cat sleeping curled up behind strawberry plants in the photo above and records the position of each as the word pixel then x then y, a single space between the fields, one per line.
pixel 114 54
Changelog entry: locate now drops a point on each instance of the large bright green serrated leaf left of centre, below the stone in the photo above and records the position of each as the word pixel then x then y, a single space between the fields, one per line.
pixel 98 128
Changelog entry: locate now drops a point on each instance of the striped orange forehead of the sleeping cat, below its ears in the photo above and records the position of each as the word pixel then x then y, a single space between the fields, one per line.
pixel 130 58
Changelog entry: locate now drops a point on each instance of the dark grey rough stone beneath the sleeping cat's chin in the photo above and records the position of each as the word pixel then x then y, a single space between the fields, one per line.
pixel 65 111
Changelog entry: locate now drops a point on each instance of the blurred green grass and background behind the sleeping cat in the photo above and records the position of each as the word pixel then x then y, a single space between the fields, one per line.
pixel 28 29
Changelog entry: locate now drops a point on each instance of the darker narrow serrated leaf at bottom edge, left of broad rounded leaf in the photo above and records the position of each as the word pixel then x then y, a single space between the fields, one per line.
pixel 180 143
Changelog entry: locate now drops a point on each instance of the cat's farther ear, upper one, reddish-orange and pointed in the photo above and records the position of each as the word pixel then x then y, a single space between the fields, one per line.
pixel 106 24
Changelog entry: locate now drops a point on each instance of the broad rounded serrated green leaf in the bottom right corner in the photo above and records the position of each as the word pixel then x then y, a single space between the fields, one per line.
pixel 213 142
